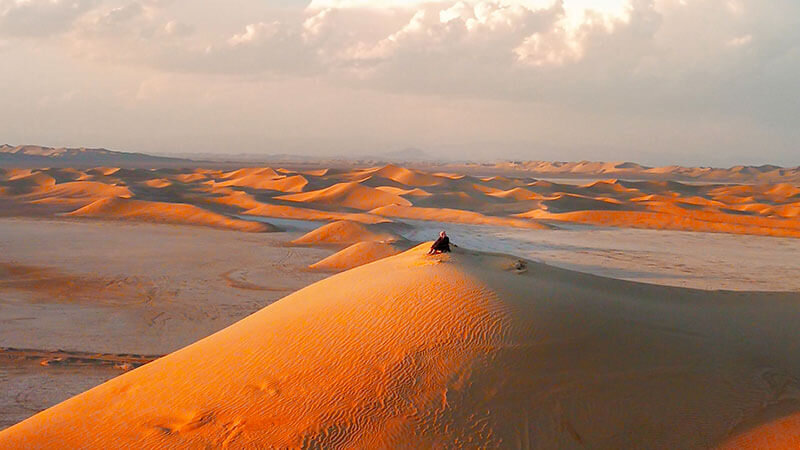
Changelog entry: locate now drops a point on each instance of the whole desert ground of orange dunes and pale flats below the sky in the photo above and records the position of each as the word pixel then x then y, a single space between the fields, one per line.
pixel 296 306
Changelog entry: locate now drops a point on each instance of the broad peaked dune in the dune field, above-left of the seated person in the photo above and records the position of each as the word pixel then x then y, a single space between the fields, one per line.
pixel 348 195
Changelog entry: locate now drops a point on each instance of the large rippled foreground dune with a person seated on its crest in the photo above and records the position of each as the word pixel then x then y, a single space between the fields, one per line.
pixel 464 350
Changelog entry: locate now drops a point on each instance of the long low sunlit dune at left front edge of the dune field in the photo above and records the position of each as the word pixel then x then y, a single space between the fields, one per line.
pixel 160 212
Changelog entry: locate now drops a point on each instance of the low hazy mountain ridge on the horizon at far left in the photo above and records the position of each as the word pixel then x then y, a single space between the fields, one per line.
pixel 38 156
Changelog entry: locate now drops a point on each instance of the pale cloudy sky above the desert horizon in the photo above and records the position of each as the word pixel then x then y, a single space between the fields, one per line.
pixel 693 82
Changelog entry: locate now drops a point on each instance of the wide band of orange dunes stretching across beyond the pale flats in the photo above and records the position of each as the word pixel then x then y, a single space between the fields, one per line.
pixel 367 195
